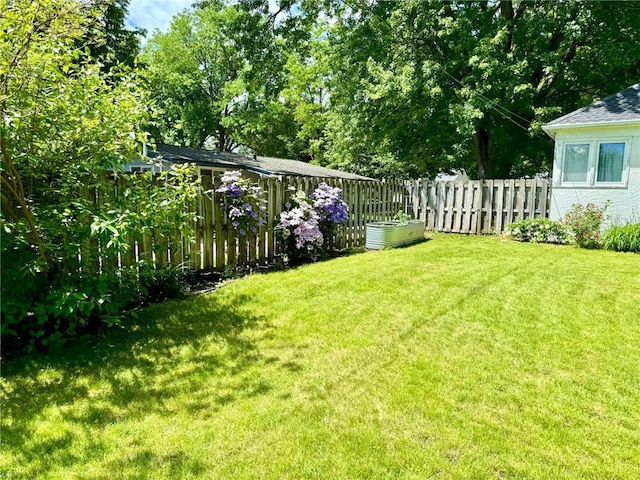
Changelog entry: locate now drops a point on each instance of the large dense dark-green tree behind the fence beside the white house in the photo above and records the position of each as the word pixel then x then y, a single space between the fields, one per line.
pixel 436 85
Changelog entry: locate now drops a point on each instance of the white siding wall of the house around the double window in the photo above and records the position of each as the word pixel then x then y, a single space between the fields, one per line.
pixel 625 200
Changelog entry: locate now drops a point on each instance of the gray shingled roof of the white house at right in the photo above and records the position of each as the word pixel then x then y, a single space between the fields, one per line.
pixel 621 107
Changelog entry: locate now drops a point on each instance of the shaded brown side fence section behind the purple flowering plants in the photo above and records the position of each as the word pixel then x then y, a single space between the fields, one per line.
pixel 216 245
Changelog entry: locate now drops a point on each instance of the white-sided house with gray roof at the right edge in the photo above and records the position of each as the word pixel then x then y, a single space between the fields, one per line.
pixel 597 157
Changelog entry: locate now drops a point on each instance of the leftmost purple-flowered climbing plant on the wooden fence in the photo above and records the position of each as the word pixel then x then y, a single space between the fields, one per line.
pixel 243 203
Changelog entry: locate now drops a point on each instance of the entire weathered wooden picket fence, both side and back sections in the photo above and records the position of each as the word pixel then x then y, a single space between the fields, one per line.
pixel 462 207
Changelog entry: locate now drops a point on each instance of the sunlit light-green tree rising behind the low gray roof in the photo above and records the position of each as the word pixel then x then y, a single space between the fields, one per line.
pixel 216 78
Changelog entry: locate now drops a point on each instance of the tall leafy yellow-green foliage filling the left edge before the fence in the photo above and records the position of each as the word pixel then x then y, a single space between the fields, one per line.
pixel 68 216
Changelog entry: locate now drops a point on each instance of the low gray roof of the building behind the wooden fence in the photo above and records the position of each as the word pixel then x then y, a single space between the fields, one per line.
pixel 256 164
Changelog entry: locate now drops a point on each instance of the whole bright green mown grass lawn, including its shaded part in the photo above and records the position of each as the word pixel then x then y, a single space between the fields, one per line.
pixel 461 357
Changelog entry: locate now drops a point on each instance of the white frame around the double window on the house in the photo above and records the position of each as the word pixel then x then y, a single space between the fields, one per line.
pixel 594 154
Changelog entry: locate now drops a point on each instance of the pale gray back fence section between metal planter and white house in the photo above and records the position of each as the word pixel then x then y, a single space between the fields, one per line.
pixel 477 206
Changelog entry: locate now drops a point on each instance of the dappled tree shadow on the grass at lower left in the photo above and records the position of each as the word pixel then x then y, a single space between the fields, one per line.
pixel 165 361
